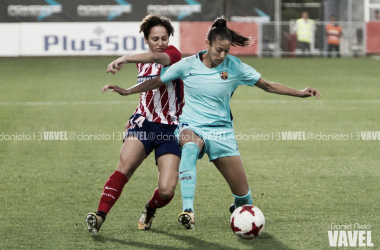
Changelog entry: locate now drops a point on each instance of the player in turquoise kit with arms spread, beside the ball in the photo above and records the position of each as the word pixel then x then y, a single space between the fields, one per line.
pixel 210 78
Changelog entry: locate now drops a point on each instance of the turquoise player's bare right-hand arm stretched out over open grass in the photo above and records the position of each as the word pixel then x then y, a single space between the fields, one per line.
pixel 280 89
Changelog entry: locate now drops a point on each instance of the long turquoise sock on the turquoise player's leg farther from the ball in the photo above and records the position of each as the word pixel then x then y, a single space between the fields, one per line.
pixel 188 174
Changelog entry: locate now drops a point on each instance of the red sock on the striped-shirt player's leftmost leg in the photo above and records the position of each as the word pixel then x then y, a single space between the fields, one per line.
pixel 112 191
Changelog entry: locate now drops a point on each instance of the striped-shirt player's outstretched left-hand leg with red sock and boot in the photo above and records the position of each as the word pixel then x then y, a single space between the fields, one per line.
pixel 132 155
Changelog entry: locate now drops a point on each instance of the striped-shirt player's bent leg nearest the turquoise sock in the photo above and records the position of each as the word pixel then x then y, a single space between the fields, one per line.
pixel 167 180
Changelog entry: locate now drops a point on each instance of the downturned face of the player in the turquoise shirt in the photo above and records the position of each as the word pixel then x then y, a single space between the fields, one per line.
pixel 218 51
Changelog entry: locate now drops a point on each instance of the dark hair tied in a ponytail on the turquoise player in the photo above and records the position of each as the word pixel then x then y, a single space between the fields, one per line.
pixel 219 30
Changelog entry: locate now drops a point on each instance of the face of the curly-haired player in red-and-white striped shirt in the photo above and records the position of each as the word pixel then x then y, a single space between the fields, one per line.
pixel 158 39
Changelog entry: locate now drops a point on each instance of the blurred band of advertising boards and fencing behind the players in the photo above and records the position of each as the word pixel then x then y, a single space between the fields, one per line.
pixel 107 27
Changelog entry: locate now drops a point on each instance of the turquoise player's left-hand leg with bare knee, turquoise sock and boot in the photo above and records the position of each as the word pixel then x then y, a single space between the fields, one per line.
pixel 191 145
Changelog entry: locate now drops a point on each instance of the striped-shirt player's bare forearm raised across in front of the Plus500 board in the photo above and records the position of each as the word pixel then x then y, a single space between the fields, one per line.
pixel 147 57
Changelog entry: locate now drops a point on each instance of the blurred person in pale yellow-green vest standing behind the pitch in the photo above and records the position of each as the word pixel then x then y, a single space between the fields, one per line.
pixel 305 29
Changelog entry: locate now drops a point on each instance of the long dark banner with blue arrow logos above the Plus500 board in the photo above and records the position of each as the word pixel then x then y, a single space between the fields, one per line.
pixel 107 10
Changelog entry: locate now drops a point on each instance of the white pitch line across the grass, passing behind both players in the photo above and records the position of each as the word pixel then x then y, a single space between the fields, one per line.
pixel 233 101
